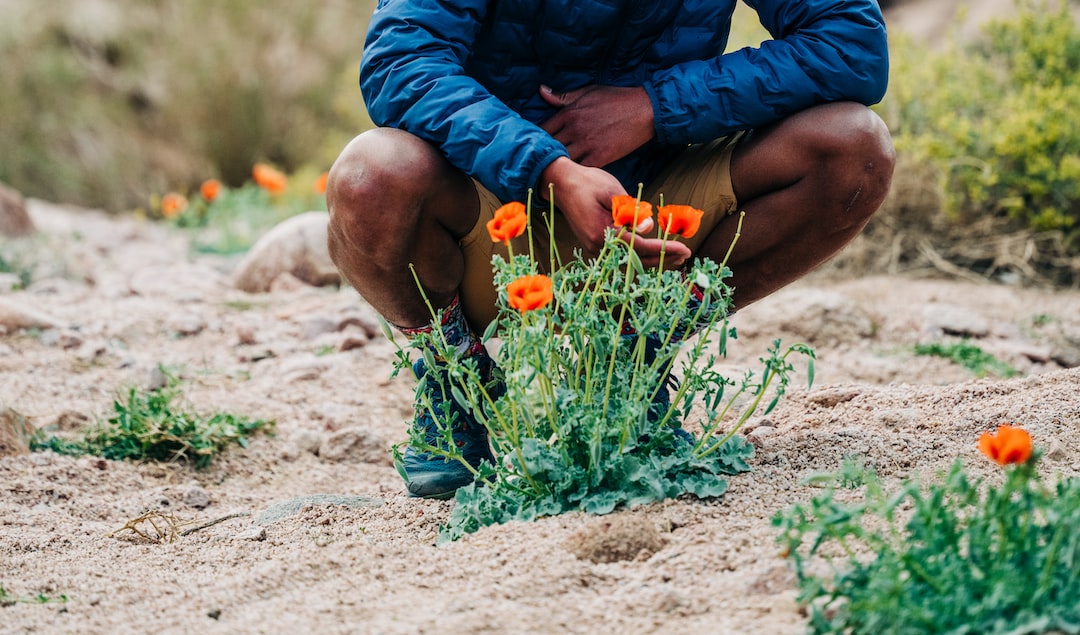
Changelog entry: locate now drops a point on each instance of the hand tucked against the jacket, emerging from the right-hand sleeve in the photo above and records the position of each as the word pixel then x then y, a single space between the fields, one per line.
pixel 600 125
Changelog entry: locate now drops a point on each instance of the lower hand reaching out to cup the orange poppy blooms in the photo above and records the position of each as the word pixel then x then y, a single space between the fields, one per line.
pixel 585 195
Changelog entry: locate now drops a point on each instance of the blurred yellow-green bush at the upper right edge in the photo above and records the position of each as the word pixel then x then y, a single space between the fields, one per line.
pixel 997 118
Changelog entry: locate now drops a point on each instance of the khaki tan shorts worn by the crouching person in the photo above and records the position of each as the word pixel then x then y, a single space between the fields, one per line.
pixel 700 177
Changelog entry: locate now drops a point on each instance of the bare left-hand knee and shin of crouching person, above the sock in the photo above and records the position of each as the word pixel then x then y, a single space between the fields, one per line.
pixel 394 201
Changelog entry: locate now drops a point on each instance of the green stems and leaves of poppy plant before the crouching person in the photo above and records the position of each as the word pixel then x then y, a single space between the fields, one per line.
pixel 577 428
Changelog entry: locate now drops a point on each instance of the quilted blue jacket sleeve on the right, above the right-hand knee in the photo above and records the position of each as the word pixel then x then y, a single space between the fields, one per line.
pixel 822 51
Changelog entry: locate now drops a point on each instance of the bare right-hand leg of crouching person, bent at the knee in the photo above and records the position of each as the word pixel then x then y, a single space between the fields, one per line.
pixel 808 184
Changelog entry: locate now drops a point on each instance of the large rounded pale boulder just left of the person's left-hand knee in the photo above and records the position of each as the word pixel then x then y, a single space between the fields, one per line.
pixel 296 247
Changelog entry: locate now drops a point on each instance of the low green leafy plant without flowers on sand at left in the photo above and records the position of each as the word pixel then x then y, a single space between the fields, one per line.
pixel 148 426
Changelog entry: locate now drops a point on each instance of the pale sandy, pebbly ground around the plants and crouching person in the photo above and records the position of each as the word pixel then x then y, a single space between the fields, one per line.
pixel 129 296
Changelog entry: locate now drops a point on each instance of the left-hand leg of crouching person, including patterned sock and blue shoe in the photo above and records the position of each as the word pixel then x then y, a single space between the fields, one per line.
pixel 395 202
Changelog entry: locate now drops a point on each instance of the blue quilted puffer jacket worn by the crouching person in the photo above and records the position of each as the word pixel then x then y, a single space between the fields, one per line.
pixel 465 74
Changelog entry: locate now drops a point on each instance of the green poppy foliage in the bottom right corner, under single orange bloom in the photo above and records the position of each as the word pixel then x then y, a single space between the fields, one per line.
pixel 956 557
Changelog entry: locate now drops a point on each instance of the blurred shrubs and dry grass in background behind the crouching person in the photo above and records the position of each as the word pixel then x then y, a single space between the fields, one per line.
pixel 112 103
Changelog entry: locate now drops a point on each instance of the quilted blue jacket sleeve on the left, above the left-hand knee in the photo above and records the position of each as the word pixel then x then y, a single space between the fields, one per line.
pixel 413 78
